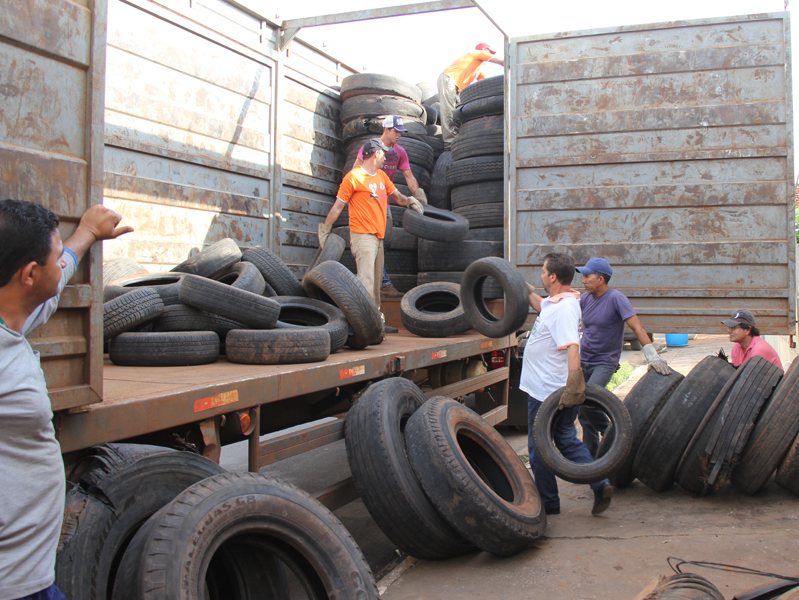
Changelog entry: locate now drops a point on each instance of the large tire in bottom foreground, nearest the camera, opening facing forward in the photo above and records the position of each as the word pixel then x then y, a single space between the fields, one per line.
pixel 272 520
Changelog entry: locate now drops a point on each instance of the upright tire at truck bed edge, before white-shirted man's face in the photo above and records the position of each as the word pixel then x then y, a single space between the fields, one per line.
pixel 514 288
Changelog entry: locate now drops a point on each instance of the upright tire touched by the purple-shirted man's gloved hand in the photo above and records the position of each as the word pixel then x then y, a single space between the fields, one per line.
pixel 643 403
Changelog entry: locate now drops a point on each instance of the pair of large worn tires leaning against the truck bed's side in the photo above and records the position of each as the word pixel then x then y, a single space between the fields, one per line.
pixel 436 478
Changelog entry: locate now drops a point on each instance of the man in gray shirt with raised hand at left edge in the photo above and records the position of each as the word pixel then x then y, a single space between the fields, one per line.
pixel 34 268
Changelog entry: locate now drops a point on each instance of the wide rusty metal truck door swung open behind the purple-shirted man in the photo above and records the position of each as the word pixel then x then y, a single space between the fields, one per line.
pixel 668 150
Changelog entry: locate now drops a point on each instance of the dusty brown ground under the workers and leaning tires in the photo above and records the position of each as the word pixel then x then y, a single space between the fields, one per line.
pixel 614 556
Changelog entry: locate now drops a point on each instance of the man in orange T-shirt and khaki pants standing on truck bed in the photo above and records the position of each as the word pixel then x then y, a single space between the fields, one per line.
pixel 366 190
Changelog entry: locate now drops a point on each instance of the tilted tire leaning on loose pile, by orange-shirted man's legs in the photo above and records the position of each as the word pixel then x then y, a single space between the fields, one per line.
pixel 332 283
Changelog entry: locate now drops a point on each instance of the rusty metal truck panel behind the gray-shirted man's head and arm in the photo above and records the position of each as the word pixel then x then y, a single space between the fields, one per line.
pixel 52 63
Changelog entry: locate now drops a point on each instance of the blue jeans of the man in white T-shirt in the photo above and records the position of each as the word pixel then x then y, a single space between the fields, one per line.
pixel 565 436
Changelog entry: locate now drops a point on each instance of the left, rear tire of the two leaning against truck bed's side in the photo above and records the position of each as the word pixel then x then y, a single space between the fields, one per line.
pixel 383 475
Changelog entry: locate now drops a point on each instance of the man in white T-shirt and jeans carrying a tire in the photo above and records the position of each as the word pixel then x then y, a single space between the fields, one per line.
pixel 552 360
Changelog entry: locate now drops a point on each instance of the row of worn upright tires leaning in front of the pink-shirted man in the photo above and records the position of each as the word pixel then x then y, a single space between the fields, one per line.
pixel 717 425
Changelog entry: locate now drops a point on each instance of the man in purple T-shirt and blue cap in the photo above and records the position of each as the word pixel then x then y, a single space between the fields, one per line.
pixel 605 311
